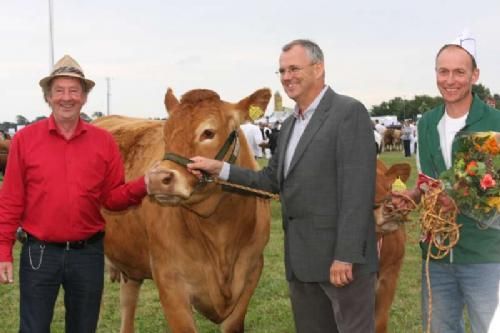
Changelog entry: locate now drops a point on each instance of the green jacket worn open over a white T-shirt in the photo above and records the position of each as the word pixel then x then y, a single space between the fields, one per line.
pixel 475 245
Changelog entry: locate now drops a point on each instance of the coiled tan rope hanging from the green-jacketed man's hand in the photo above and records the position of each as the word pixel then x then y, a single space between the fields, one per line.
pixel 442 232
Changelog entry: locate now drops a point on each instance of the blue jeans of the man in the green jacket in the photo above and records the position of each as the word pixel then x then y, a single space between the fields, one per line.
pixel 456 286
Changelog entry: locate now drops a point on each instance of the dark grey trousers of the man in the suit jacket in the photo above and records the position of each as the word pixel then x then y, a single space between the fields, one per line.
pixel 322 307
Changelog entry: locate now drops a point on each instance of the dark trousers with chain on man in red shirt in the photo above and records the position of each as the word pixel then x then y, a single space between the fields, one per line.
pixel 44 269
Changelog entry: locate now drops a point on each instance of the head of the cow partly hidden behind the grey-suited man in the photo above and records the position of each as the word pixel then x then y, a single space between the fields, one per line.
pixel 384 219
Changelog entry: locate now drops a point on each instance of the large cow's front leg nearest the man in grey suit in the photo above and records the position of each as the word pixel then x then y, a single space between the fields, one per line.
pixel 235 322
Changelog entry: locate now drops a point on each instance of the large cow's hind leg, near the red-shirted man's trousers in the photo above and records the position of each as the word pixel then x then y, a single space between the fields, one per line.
pixel 129 296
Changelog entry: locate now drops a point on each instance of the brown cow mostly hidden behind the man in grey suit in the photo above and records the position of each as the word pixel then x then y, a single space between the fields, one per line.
pixel 391 236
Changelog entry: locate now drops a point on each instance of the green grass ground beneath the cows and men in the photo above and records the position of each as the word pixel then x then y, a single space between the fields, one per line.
pixel 269 309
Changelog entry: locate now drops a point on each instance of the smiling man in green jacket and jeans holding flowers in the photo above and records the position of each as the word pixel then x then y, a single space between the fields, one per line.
pixel 470 274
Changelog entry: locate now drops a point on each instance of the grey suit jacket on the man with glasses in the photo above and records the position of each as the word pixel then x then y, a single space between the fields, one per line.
pixel 327 197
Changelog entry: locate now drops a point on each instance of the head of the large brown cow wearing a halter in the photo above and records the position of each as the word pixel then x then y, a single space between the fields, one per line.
pixel 199 125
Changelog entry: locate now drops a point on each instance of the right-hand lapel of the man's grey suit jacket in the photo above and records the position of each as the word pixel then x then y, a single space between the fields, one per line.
pixel 312 127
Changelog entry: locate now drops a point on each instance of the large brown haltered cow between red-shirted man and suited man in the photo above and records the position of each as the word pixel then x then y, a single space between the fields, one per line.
pixel 201 245
